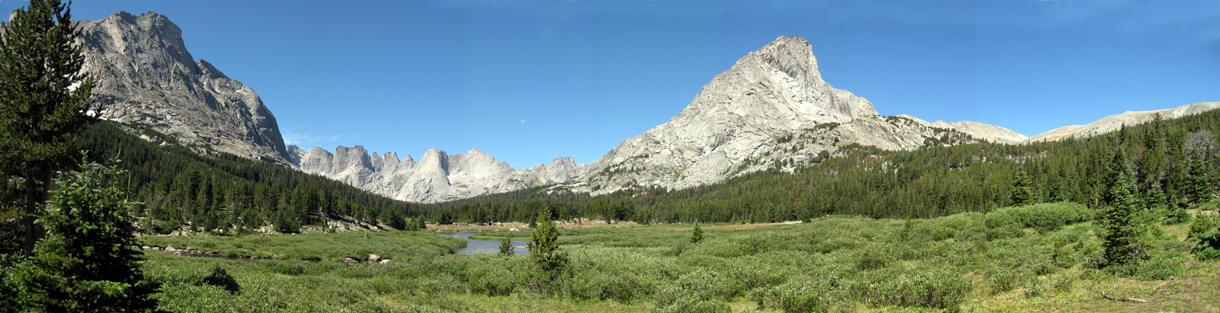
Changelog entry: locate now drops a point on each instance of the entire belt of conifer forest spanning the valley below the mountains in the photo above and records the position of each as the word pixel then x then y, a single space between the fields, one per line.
pixel 224 193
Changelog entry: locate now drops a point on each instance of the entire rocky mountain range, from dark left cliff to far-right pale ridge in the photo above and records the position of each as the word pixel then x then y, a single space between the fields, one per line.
pixel 770 110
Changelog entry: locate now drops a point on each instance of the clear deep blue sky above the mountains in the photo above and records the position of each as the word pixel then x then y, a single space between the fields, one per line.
pixel 531 81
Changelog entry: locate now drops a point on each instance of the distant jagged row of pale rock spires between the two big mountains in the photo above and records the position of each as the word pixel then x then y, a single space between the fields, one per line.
pixel 437 177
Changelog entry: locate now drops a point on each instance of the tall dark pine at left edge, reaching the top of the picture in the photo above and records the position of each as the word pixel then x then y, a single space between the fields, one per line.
pixel 45 100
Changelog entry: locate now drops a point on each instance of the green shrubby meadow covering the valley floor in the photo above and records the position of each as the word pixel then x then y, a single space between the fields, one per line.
pixel 1016 260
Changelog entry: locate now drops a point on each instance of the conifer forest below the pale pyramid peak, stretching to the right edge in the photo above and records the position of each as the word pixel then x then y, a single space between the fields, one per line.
pixel 1175 164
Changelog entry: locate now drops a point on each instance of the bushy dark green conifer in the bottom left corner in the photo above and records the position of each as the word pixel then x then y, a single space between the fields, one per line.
pixel 88 261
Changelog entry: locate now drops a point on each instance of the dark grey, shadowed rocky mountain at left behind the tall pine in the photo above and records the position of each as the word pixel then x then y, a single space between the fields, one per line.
pixel 147 77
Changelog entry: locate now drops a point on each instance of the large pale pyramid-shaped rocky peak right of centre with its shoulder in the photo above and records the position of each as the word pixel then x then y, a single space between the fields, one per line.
pixel 773 109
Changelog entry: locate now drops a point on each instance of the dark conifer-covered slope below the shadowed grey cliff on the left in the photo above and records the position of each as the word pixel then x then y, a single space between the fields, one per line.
pixel 223 193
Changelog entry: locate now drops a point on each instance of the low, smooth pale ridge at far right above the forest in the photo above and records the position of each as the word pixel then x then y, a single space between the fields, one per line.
pixel 1113 124
